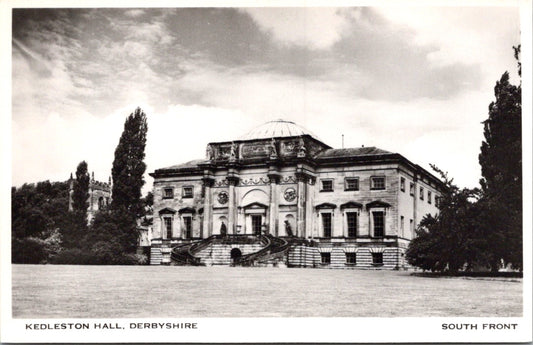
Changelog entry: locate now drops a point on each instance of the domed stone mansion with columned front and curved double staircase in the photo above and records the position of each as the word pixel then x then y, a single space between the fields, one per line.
pixel 332 208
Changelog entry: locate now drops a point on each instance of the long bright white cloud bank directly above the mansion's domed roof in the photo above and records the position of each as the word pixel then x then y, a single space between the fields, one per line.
pixel 447 132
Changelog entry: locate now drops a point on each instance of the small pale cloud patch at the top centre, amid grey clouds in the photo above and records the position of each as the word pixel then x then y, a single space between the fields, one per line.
pixel 313 27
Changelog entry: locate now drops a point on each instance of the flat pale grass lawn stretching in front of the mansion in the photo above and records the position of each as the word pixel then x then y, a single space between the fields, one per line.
pixel 56 291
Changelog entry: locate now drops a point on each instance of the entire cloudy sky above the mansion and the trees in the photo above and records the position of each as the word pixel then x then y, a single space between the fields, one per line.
pixel 413 80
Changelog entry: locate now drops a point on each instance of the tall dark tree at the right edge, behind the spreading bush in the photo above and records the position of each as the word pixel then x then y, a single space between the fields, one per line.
pixel 501 168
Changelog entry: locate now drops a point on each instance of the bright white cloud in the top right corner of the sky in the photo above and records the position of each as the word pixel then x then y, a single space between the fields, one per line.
pixel 468 35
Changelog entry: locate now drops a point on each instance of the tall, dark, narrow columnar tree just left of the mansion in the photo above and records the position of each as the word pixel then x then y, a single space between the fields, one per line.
pixel 127 172
